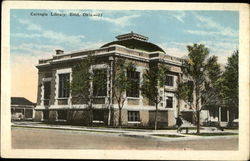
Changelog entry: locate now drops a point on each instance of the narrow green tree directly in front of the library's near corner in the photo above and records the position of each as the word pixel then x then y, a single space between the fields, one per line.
pixel 121 84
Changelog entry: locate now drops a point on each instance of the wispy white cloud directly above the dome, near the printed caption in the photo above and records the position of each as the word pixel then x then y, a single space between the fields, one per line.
pixel 123 21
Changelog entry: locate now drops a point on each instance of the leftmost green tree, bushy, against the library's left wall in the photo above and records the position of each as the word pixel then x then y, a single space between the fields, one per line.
pixel 87 83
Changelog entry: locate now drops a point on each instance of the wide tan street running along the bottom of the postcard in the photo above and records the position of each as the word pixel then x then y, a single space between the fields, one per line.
pixel 34 138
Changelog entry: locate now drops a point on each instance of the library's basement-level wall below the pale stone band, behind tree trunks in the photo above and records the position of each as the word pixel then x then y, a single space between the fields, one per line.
pixel 81 117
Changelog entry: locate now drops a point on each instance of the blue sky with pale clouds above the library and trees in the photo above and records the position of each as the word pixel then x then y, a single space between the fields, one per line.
pixel 36 37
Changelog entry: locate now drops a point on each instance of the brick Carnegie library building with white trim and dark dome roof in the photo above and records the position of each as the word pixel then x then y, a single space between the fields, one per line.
pixel 56 103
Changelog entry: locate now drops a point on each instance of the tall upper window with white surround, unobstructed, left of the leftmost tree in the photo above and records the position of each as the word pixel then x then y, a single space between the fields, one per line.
pixel 64 85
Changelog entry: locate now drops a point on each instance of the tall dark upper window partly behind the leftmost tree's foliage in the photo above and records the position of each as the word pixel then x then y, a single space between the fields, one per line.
pixel 100 83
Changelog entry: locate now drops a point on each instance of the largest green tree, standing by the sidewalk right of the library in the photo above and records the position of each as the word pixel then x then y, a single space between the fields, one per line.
pixel 202 73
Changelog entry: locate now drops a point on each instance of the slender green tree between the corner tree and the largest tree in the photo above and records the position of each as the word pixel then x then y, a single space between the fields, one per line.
pixel 153 80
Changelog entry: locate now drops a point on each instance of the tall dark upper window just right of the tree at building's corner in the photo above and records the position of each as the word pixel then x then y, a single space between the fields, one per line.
pixel 134 77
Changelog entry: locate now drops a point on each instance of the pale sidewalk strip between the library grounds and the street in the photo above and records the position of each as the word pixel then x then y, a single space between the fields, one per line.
pixel 138 133
